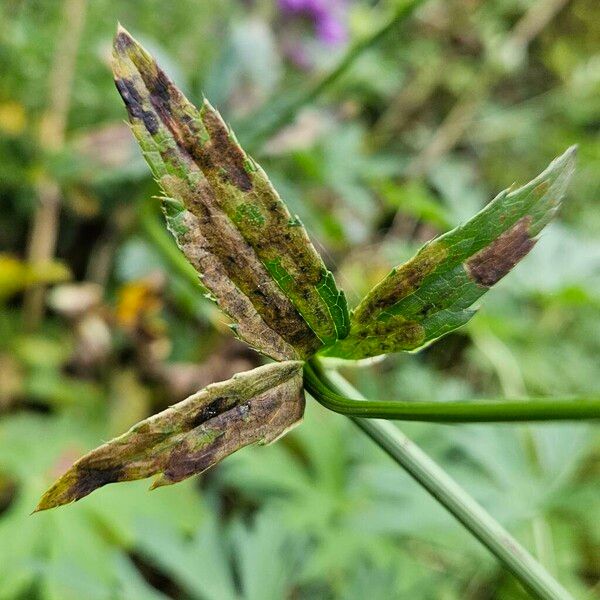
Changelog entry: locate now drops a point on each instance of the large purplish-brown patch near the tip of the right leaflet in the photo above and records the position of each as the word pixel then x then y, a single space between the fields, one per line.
pixel 492 263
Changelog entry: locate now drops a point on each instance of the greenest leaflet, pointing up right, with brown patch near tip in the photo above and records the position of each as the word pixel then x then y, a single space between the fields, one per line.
pixel 431 294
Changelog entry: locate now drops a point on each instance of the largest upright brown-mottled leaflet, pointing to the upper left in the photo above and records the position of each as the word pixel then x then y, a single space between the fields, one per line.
pixel 252 254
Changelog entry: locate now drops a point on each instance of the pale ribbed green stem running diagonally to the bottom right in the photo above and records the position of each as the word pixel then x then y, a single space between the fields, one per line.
pixel 451 496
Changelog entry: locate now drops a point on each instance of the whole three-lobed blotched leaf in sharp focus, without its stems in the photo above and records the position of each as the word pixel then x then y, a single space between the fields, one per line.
pixel 259 265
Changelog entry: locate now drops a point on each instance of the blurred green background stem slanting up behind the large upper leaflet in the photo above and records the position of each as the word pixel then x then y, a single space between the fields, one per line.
pixel 276 119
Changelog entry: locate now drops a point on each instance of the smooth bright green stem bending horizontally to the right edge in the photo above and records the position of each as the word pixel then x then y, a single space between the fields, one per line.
pixel 471 411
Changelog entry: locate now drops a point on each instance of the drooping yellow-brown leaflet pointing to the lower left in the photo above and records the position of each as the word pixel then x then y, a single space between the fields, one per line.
pixel 257 406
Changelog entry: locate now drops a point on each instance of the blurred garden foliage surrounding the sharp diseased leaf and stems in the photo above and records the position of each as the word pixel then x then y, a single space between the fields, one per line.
pixel 425 126
